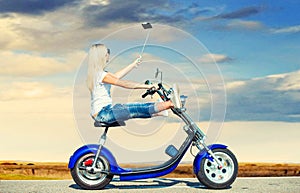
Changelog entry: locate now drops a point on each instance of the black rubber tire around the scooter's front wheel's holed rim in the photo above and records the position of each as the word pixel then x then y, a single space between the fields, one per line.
pixel 212 185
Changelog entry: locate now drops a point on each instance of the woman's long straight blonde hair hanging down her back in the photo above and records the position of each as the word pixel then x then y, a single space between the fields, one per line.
pixel 96 63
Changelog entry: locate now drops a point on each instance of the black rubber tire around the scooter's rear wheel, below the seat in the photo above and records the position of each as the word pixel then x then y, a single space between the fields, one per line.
pixel 84 185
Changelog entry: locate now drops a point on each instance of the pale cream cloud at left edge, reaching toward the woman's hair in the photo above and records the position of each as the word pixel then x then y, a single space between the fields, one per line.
pixel 28 64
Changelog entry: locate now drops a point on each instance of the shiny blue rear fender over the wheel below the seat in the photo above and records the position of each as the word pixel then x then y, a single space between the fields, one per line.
pixel 92 148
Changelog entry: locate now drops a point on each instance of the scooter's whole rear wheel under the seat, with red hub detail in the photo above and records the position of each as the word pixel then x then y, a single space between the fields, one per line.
pixel 91 180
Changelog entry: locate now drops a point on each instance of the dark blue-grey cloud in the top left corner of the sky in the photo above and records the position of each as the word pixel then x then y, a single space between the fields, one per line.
pixel 32 7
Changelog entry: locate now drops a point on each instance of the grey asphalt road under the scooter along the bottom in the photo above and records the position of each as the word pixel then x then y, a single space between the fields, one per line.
pixel 162 185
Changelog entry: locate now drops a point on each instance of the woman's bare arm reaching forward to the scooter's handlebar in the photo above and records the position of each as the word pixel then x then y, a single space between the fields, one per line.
pixel 114 80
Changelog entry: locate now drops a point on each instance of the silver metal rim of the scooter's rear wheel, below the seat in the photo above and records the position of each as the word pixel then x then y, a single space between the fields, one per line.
pixel 89 177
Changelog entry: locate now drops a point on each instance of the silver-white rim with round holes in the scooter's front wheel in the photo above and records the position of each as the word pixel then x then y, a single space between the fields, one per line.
pixel 216 174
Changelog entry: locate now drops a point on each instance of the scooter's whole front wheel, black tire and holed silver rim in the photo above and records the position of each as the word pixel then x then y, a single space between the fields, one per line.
pixel 214 177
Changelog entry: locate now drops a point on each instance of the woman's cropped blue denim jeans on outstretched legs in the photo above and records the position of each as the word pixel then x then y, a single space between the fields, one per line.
pixel 123 112
